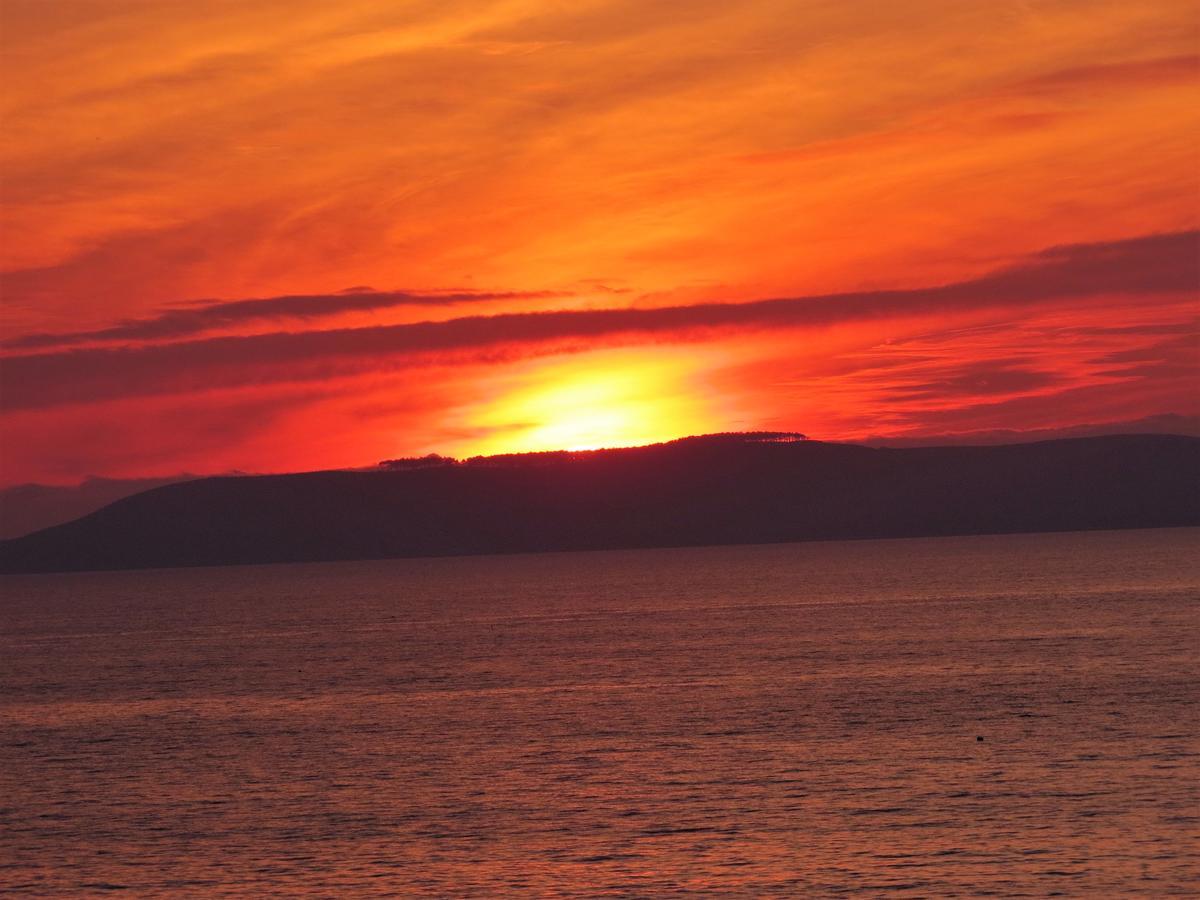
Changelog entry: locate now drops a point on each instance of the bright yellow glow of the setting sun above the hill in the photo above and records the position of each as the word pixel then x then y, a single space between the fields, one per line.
pixel 609 400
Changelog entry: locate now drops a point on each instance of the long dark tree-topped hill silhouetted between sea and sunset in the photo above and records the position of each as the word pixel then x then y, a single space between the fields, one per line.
pixel 752 489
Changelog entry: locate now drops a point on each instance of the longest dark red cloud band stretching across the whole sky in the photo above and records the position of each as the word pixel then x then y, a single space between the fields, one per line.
pixel 1144 267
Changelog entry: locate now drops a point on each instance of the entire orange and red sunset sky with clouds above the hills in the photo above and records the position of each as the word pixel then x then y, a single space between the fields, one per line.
pixel 272 236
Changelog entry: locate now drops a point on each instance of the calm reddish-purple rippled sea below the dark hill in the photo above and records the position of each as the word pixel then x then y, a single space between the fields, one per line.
pixel 775 721
